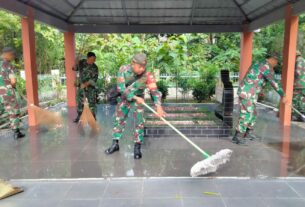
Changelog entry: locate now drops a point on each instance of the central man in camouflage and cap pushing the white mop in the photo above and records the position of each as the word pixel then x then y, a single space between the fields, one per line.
pixel 132 80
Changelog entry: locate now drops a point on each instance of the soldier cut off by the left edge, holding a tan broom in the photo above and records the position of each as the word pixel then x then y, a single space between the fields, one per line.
pixel 8 101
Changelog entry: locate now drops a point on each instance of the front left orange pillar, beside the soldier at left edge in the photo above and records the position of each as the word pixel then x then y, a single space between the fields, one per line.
pixel 29 56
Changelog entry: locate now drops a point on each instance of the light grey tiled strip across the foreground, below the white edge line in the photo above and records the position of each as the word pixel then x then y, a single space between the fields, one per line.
pixel 159 192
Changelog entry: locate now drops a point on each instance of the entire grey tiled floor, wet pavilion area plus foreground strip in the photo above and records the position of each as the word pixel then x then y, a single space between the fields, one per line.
pixel 56 159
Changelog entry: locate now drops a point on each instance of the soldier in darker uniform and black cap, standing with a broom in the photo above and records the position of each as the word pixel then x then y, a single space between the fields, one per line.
pixel 86 83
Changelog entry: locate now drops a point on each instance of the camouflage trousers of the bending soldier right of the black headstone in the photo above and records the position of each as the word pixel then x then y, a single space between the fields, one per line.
pixel 247 114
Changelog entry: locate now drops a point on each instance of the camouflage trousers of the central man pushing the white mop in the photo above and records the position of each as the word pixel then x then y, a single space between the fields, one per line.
pixel 121 113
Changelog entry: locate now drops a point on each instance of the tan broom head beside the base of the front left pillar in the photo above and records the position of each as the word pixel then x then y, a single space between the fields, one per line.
pixel 47 118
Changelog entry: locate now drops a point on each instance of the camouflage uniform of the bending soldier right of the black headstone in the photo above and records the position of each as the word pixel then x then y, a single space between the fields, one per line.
pixel 248 91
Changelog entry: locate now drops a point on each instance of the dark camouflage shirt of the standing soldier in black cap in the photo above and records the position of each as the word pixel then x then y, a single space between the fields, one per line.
pixel 87 72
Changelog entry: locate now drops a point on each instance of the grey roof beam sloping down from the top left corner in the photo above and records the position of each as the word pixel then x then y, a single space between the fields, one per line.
pixel 21 9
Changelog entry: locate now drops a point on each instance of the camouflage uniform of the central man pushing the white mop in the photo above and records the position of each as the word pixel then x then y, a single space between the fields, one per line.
pixel 126 102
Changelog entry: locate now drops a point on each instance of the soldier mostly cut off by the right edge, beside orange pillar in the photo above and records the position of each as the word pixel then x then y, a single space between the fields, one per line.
pixel 299 86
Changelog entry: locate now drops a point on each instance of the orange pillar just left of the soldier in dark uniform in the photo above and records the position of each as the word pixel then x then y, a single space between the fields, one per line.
pixel 69 40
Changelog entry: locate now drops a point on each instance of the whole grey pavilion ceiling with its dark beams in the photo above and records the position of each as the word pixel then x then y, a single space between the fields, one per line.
pixel 155 15
